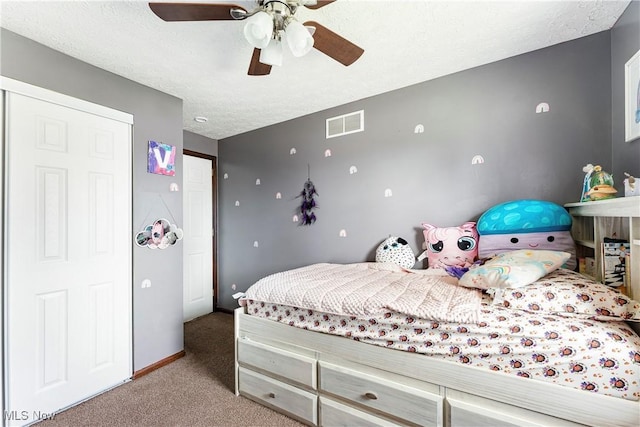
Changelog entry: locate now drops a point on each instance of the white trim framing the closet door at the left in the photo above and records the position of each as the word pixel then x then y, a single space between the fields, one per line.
pixel 15 86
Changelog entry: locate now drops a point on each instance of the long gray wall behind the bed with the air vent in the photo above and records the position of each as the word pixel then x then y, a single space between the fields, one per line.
pixel 487 111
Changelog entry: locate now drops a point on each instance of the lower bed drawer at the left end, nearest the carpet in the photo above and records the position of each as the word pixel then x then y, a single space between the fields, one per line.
pixel 296 402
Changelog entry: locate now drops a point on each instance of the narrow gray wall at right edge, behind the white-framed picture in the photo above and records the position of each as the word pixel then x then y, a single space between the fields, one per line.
pixel 625 42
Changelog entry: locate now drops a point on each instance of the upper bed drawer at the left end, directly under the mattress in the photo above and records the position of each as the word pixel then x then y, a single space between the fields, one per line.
pixel 285 364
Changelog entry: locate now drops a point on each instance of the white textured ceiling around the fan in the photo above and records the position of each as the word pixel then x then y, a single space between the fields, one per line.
pixel 205 63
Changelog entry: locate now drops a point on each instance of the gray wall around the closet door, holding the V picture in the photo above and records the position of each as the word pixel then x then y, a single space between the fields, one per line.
pixel 157 311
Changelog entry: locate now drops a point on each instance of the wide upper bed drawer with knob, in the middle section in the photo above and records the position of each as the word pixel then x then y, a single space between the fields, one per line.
pixel 389 397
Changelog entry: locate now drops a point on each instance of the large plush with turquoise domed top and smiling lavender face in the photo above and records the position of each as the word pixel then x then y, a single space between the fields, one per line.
pixel 526 224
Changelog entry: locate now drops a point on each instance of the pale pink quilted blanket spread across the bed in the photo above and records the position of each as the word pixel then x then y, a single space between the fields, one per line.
pixel 368 289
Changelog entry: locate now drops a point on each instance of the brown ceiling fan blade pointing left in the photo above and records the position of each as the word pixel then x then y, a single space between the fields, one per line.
pixel 194 11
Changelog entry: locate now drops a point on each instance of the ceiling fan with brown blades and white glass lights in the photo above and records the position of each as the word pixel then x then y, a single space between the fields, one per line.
pixel 269 24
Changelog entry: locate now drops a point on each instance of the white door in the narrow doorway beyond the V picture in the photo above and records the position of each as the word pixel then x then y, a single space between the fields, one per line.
pixel 198 237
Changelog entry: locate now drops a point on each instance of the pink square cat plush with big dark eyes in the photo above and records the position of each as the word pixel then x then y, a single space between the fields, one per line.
pixel 451 246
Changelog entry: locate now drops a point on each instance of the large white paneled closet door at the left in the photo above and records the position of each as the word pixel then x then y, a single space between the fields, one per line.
pixel 68 256
